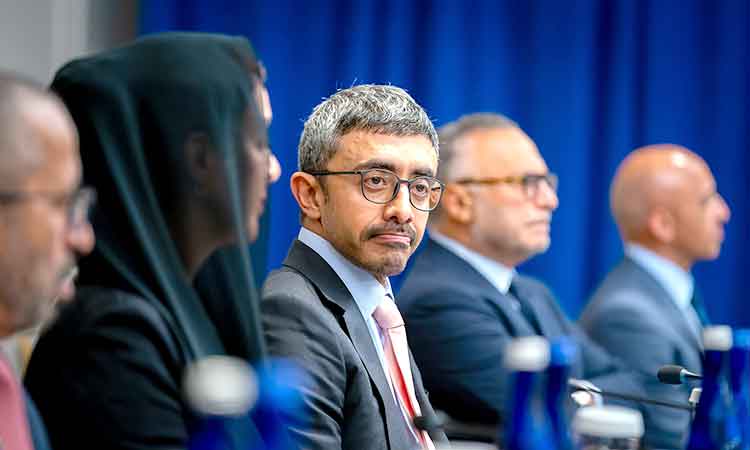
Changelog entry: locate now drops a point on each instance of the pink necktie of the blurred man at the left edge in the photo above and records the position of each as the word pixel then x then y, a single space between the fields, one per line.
pixel 14 427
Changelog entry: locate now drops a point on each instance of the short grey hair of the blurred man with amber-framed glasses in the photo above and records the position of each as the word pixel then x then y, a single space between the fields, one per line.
pixel 453 131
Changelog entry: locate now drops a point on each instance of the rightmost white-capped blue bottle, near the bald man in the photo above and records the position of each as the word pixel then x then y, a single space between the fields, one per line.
pixel 709 427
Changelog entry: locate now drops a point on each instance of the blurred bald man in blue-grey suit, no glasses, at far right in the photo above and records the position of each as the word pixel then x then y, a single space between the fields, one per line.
pixel 648 310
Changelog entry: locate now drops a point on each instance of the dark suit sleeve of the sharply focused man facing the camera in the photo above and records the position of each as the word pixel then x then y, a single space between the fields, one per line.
pixel 296 330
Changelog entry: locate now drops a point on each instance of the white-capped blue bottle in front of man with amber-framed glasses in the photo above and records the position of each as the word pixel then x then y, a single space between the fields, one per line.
pixel 526 359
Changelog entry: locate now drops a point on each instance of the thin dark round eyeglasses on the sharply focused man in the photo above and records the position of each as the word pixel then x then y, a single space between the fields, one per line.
pixel 381 186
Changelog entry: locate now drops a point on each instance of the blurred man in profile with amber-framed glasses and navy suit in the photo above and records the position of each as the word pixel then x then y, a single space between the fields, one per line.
pixel 463 294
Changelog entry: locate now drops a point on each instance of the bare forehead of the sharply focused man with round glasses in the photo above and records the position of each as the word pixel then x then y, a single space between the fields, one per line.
pixel 403 152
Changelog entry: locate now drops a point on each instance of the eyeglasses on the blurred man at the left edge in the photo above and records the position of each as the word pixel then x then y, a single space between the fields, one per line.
pixel 77 204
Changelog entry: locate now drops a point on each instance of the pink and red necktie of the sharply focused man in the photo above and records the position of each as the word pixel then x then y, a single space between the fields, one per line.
pixel 396 351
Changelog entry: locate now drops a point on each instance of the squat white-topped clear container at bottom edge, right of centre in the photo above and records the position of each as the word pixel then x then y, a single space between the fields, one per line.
pixel 608 428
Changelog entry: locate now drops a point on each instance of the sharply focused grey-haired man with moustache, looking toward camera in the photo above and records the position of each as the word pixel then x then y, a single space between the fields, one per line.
pixel 365 186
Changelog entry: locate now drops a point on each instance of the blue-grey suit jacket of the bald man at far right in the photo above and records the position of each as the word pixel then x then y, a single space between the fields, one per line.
pixel 633 317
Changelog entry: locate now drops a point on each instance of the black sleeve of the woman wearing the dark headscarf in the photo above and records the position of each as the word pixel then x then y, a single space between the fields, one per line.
pixel 105 376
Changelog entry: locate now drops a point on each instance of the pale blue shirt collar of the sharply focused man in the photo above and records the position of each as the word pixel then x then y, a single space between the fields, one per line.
pixel 365 289
